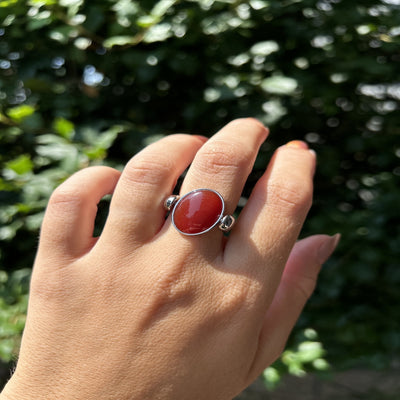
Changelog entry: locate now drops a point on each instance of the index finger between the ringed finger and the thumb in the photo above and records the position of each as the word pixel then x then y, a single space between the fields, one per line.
pixel 271 221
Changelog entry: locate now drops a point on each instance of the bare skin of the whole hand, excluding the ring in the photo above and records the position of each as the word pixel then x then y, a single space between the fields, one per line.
pixel 143 312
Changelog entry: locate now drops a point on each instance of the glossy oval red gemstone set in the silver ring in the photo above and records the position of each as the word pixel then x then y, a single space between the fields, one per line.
pixel 198 211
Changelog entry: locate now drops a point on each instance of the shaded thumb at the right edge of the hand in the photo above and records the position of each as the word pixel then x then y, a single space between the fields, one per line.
pixel 297 284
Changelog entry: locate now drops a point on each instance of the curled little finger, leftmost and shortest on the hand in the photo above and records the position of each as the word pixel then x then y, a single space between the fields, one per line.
pixel 67 228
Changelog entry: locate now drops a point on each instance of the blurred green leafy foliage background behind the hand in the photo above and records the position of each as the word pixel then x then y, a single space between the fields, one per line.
pixel 92 82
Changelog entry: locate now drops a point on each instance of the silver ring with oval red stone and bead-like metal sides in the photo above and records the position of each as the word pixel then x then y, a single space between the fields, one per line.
pixel 198 212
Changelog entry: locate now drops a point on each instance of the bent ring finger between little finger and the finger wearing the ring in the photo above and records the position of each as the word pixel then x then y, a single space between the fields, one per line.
pixel 136 210
